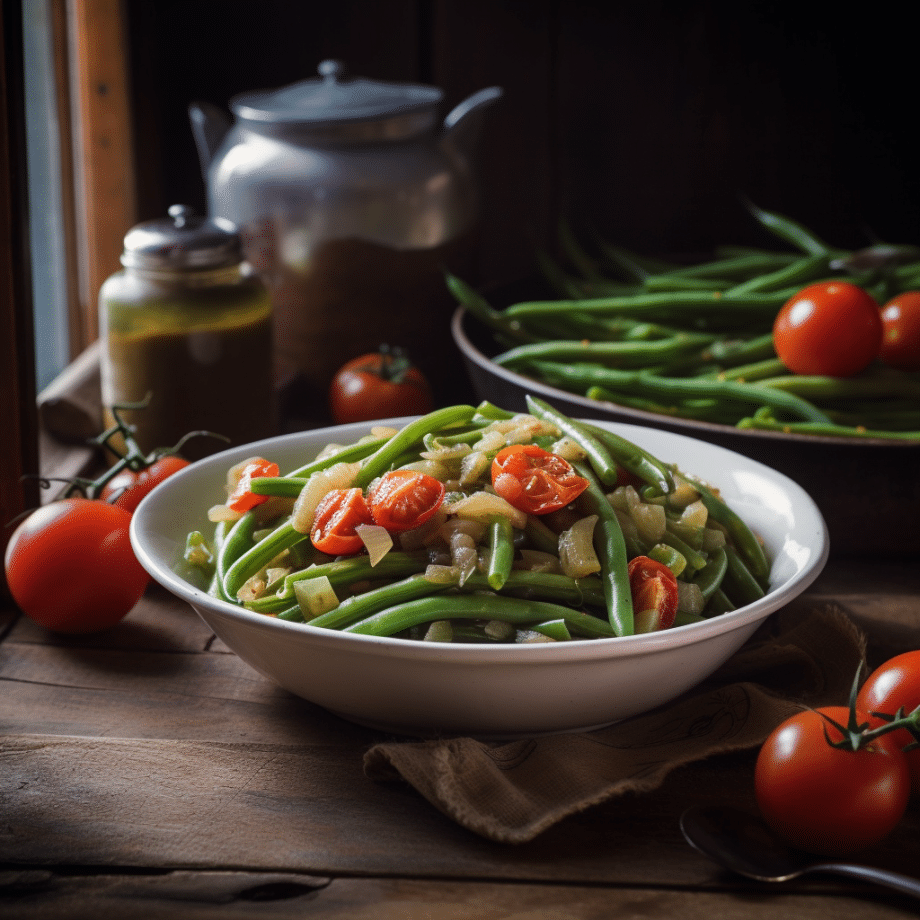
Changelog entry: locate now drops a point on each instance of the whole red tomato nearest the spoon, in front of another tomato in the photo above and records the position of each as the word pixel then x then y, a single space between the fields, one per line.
pixel 824 799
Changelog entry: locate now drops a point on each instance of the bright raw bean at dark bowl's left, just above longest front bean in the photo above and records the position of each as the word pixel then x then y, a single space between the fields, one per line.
pixel 620 354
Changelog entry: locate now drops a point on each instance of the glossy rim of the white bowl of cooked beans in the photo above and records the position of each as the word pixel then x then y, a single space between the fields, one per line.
pixel 586 649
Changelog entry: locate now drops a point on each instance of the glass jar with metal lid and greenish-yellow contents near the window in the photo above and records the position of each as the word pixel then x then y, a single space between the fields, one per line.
pixel 186 330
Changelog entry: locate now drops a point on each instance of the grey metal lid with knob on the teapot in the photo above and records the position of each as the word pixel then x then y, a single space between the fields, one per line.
pixel 334 97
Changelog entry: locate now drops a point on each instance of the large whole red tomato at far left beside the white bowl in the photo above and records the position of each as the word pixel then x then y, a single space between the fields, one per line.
pixel 70 566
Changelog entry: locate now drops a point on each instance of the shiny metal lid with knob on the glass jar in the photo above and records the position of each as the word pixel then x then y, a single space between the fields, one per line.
pixel 185 241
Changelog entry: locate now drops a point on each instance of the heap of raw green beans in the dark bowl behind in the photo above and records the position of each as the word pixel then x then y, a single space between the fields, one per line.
pixel 696 341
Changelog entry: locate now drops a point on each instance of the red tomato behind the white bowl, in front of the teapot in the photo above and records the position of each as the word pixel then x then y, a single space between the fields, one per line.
pixel 380 385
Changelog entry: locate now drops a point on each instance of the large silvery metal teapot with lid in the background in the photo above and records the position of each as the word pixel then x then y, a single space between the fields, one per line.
pixel 351 198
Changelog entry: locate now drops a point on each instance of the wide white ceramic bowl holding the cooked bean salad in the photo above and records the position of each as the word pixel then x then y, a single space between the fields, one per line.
pixel 422 688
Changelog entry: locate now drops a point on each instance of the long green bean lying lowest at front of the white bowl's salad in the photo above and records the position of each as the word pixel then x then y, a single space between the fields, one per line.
pixel 461 606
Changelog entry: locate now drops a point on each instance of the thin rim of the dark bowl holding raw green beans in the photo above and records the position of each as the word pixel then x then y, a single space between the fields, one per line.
pixel 644 417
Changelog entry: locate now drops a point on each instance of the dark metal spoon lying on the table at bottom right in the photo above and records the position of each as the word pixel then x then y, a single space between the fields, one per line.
pixel 743 843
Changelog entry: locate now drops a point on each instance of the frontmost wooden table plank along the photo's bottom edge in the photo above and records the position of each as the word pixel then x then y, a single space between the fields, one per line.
pixel 291 896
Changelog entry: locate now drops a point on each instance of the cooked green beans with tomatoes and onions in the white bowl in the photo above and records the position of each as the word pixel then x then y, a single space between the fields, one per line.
pixel 475 524
